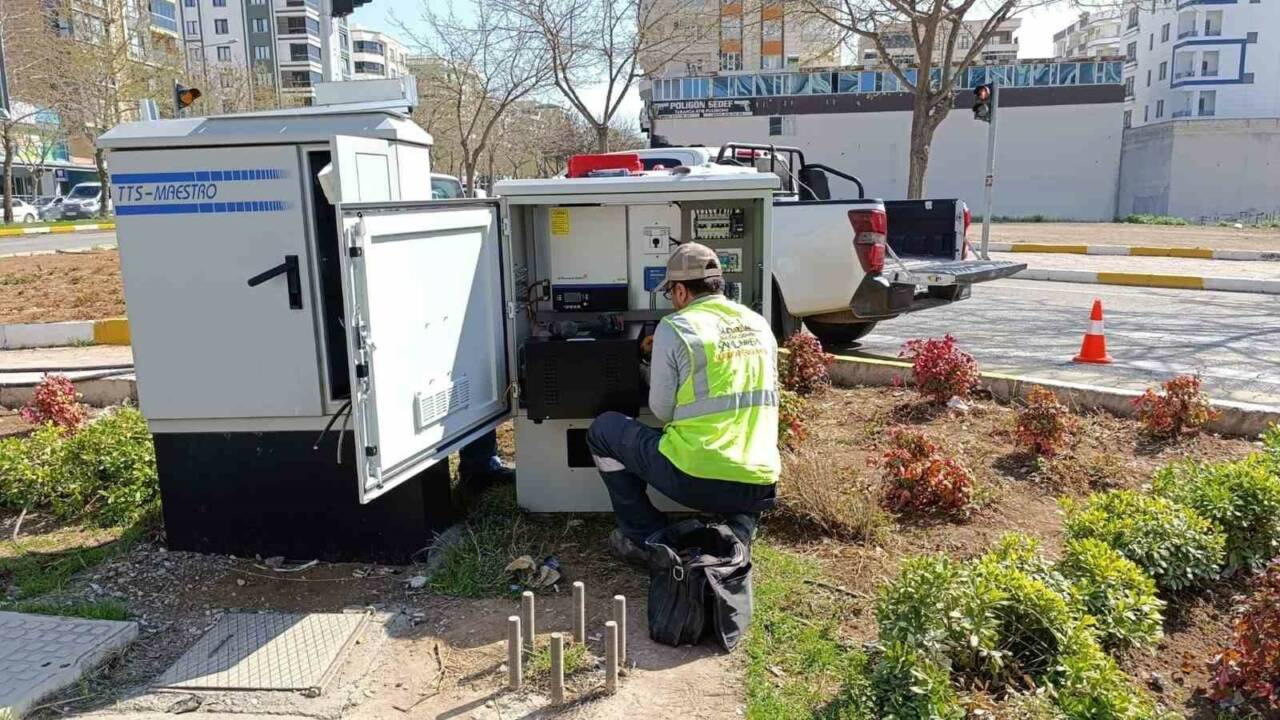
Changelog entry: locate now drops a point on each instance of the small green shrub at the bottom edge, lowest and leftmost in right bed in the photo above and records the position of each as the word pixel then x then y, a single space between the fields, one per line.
pixel 909 686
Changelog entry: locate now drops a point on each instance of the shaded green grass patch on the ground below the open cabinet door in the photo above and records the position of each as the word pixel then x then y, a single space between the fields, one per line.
pixel 496 534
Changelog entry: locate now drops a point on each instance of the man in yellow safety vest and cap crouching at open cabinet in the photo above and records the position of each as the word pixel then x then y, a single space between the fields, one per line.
pixel 714 382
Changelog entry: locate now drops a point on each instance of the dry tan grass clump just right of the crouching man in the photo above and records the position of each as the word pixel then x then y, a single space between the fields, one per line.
pixel 835 503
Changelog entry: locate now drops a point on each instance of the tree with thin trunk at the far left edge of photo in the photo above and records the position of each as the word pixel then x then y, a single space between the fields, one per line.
pixel 34 60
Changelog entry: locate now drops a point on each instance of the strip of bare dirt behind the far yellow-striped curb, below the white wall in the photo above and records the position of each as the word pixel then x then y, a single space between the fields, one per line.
pixel 1128 234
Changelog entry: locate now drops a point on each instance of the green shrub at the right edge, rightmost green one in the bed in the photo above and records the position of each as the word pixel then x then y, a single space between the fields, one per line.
pixel 1241 499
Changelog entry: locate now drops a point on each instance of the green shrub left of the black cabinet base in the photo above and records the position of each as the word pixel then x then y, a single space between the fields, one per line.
pixel 106 473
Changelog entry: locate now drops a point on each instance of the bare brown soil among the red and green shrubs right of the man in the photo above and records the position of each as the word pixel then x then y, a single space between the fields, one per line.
pixel 1014 495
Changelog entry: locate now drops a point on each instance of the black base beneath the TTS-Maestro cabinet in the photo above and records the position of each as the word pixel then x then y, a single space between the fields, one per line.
pixel 271 494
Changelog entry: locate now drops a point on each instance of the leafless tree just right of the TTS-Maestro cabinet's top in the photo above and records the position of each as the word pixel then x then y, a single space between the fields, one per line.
pixel 483 63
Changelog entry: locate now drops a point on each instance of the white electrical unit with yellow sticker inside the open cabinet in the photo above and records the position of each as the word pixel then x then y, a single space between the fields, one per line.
pixel 588 258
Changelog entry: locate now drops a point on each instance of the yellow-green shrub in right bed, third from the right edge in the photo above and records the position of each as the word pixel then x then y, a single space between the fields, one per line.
pixel 1121 598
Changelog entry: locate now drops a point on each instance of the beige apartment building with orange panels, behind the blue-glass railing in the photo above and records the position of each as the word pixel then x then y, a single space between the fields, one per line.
pixel 735 35
